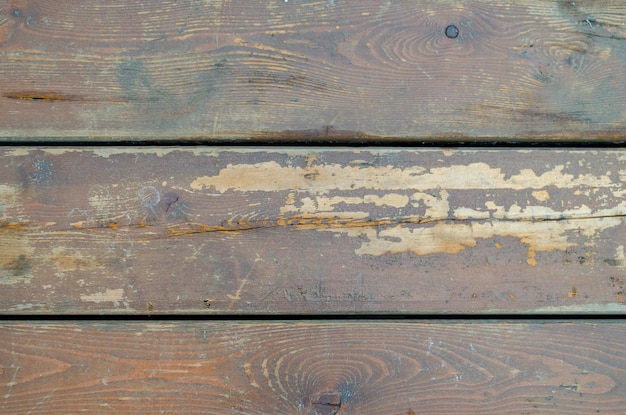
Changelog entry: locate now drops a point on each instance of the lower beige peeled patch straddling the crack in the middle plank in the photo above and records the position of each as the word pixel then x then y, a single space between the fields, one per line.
pixel 542 229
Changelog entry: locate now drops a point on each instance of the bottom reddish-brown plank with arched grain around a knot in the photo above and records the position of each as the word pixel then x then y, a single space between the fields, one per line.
pixel 312 368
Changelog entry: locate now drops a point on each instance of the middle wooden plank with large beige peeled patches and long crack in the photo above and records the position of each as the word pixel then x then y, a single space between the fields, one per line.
pixel 289 230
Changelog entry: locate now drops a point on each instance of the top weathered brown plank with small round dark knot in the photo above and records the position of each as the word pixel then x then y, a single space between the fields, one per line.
pixel 324 70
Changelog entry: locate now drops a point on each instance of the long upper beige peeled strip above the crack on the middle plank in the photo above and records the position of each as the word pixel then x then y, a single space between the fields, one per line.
pixel 320 179
